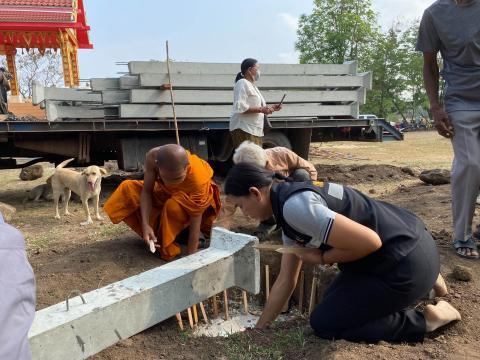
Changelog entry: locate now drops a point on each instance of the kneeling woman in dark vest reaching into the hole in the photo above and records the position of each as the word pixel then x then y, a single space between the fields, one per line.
pixel 387 259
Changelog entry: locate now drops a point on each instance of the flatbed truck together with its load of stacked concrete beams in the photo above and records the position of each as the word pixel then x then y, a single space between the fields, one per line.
pixel 121 118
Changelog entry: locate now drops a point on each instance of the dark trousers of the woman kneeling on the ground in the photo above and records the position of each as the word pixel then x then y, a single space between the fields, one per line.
pixel 364 306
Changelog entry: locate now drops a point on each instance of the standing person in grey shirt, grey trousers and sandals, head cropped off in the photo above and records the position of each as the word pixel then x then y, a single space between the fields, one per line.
pixel 452 27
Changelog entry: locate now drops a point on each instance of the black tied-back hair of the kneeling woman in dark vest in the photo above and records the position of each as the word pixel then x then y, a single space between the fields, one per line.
pixel 243 176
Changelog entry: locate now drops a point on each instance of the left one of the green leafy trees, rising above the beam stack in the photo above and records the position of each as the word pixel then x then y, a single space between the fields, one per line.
pixel 336 31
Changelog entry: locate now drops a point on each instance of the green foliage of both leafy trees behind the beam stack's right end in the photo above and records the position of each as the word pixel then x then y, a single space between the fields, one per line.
pixel 340 30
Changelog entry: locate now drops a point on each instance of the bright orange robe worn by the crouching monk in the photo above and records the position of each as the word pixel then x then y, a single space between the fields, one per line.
pixel 172 205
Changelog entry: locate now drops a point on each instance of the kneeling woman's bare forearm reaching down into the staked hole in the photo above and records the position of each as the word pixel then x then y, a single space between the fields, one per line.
pixel 282 289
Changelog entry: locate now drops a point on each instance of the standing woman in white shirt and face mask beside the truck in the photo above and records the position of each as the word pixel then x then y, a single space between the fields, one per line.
pixel 249 106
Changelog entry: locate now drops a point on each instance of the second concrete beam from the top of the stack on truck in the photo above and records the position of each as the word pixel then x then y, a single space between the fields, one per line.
pixel 266 82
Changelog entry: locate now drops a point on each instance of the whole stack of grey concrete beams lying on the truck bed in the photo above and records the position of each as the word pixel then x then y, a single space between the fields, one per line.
pixel 205 91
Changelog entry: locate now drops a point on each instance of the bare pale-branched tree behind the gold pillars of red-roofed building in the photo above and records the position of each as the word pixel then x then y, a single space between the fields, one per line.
pixel 33 66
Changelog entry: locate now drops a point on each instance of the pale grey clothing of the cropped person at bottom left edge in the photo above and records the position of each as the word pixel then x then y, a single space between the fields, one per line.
pixel 17 294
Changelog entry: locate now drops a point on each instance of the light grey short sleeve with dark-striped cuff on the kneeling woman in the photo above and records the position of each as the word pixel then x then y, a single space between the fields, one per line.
pixel 307 213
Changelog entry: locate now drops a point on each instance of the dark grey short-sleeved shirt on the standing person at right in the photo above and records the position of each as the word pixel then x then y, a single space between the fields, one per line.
pixel 454 30
